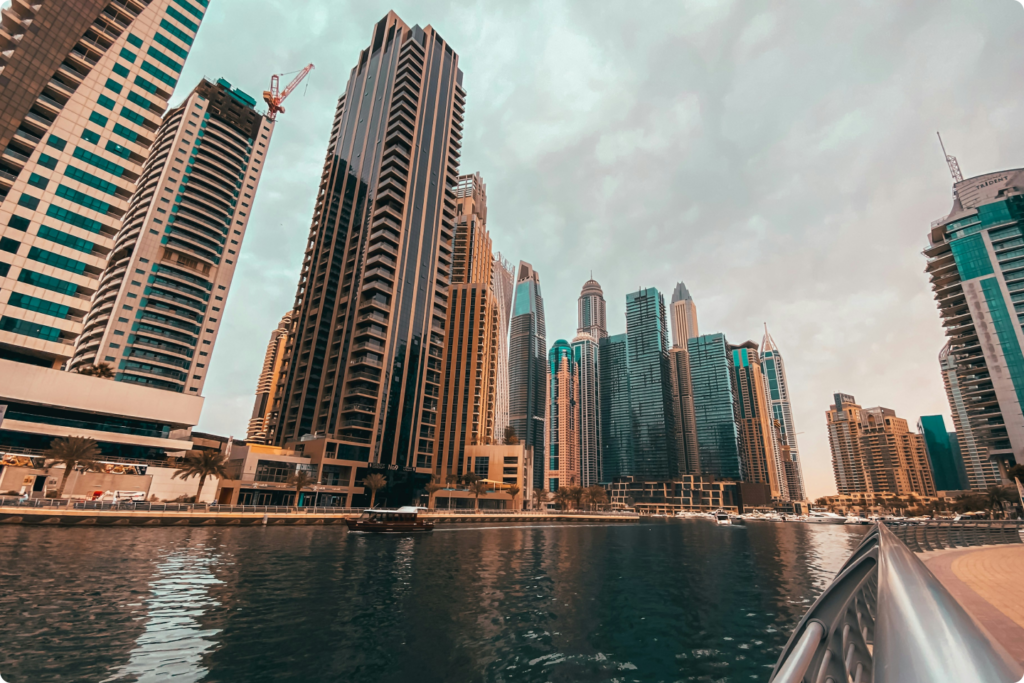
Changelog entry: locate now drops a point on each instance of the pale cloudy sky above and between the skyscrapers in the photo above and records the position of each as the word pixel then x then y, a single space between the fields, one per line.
pixel 779 158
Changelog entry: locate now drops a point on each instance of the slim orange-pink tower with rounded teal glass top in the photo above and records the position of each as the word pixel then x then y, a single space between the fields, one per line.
pixel 563 467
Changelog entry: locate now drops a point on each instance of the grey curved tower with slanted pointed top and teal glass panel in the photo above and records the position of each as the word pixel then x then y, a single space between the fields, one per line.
pixel 528 366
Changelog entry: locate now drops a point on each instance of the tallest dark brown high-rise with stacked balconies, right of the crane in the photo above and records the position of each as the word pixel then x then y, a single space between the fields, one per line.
pixel 365 363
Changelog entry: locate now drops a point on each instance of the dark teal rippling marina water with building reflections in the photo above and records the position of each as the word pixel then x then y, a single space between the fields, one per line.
pixel 664 601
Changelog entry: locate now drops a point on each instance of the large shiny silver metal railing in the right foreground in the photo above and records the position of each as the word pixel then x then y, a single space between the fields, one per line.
pixel 886 619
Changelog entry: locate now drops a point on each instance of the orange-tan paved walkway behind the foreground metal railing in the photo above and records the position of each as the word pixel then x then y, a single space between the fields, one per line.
pixel 987 581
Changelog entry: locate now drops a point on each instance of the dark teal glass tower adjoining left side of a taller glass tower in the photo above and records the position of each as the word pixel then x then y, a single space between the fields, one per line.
pixel 617 423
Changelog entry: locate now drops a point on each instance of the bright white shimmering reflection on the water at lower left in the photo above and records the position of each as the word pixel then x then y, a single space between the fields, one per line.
pixel 174 644
